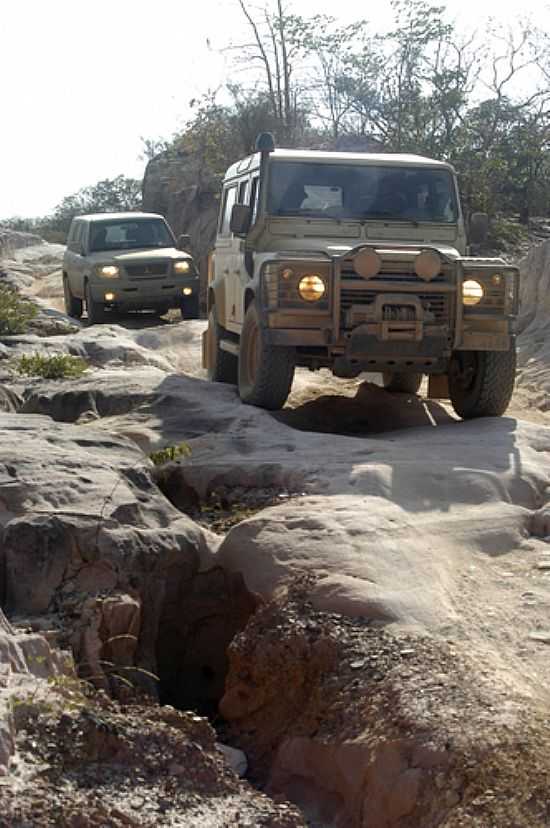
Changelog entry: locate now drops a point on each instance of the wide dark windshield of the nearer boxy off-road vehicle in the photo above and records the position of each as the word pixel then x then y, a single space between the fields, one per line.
pixel 346 191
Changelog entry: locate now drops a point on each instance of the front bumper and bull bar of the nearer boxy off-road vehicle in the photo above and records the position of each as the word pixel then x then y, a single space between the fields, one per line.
pixel 395 315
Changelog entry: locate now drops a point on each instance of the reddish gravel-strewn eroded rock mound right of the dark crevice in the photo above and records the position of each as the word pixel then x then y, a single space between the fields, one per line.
pixel 369 729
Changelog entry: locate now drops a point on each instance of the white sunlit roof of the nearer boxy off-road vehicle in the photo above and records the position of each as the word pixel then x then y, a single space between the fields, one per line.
pixel 387 159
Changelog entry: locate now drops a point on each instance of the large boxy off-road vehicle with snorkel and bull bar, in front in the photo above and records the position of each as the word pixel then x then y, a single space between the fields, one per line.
pixel 356 262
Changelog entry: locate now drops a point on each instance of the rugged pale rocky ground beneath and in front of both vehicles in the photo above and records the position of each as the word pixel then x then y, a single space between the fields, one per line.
pixel 360 581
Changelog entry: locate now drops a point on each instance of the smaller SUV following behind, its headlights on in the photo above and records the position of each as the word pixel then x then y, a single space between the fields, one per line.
pixel 127 261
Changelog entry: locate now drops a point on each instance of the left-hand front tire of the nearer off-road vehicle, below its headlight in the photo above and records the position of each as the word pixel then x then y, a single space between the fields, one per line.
pixel 265 371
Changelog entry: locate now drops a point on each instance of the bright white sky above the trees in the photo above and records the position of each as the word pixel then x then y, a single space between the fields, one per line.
pixel 82 83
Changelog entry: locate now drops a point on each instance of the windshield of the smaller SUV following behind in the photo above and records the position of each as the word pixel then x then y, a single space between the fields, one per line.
pixel 129 234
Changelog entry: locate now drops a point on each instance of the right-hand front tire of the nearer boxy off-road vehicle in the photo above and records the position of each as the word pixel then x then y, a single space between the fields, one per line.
pixel 481 383
